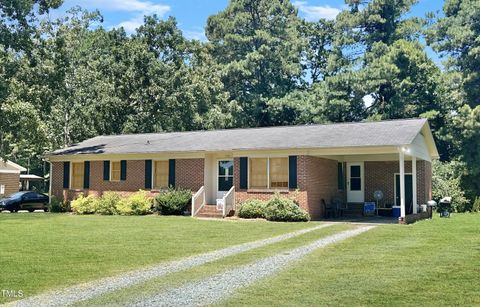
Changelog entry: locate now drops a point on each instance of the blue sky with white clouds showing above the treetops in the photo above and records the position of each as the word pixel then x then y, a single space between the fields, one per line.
pixel 192 15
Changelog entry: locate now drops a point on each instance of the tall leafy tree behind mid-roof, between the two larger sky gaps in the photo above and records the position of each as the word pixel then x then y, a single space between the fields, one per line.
pixel 259 47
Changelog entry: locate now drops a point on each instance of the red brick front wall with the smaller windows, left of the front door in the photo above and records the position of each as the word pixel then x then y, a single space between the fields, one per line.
pixel 188 174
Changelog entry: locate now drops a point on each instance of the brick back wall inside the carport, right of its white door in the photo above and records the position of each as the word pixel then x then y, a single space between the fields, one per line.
pixel 380 176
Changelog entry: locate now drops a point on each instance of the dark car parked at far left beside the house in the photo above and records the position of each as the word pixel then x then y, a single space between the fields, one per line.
pixel 26 200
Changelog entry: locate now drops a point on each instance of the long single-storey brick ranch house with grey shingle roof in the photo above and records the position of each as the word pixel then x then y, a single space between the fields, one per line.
pixel 226 167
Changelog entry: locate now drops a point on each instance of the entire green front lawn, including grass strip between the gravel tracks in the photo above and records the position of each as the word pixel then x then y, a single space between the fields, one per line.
pixel 432 262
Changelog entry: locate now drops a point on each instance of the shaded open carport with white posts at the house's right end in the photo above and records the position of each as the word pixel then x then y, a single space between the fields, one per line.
pixel 386 187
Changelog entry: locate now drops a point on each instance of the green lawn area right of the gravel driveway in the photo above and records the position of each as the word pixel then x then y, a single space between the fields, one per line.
pixel 430 263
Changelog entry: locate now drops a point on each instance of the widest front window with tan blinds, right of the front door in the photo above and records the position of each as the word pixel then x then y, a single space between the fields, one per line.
pixel 268 173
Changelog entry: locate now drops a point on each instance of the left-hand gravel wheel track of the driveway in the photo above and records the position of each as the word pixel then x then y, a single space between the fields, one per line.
pixel 92 289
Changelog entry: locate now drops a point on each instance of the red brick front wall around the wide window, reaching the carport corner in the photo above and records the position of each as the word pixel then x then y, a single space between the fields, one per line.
pixel 316 179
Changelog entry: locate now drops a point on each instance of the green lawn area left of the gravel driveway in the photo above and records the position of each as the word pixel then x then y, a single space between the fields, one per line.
pixel 45 251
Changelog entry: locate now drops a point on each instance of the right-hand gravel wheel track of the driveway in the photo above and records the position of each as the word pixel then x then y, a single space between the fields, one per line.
pixel 220 286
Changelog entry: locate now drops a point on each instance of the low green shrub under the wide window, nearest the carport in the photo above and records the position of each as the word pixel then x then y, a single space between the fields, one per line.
pixel 283 209
